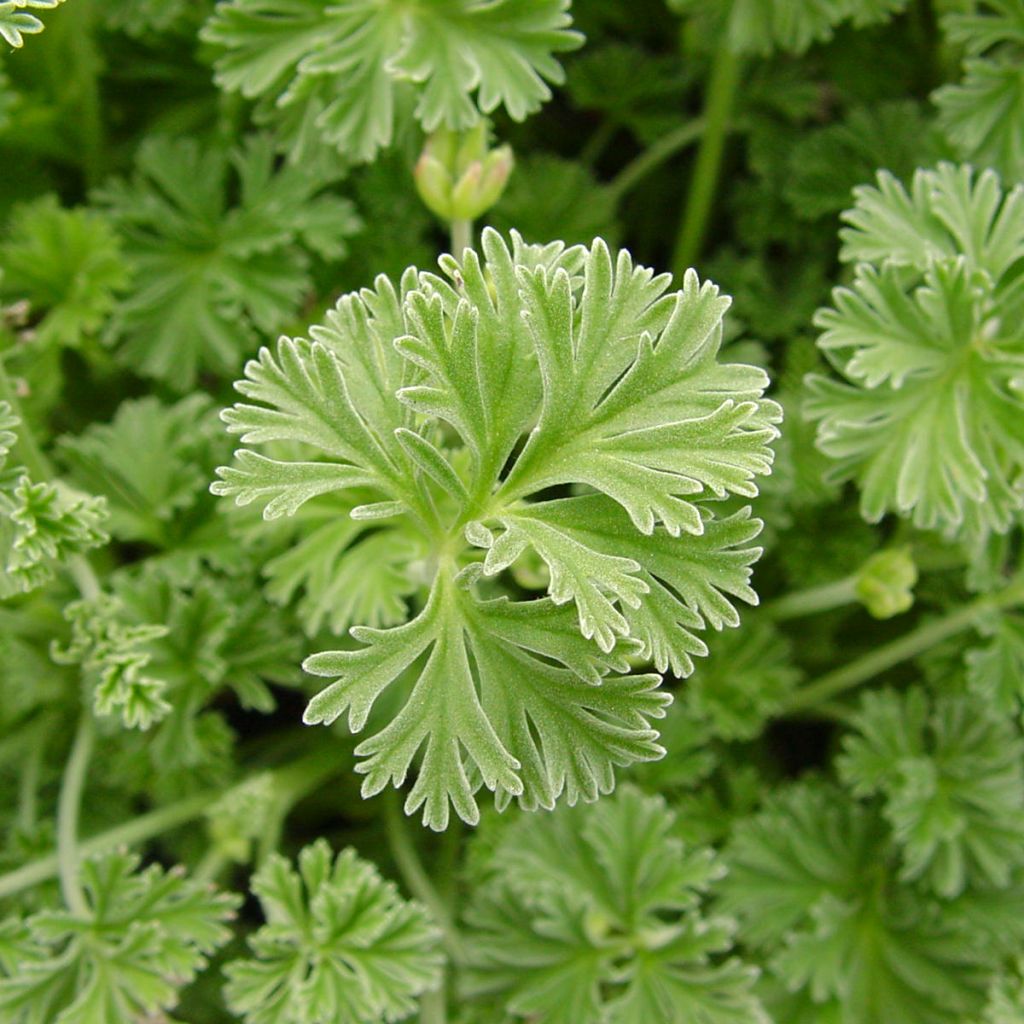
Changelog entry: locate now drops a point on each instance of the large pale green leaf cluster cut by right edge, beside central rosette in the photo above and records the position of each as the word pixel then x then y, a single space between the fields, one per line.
pixel 928 419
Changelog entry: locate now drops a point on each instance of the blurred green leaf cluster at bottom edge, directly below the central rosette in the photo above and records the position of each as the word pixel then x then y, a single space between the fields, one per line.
pixel 602 907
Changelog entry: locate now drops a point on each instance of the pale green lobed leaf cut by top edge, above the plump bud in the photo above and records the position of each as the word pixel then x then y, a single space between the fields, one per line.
pixel 345 63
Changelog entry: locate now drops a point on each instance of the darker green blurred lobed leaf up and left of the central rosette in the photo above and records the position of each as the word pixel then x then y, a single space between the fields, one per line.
pixel 211 274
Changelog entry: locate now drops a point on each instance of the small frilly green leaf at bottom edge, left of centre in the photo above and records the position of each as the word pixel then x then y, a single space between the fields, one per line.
pixel 340 946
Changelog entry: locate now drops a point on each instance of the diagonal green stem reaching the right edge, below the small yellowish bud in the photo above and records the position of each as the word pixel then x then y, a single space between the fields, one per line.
pixel 903 650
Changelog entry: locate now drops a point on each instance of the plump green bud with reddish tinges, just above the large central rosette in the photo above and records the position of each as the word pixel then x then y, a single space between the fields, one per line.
pixel 458 178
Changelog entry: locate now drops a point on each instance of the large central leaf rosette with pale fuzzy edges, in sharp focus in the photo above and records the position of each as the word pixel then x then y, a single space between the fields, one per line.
pixel 547 414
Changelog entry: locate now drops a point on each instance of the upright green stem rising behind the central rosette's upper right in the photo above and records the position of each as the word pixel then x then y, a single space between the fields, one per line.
pixel 718 108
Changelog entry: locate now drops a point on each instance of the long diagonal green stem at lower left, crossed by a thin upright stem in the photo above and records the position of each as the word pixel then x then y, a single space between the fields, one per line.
pixel 154 824
